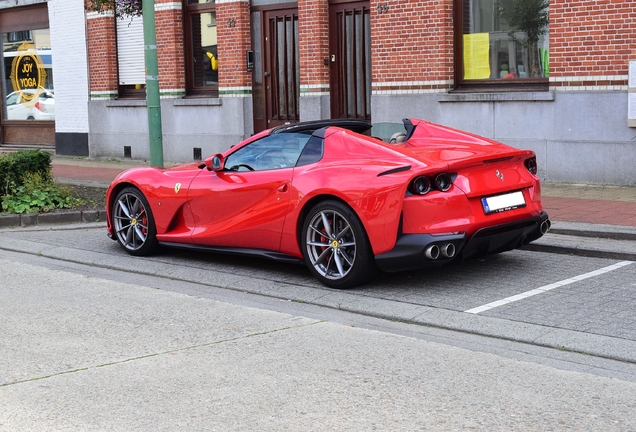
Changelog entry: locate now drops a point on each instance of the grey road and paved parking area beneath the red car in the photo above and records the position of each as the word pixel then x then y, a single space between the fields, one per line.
pixel 93 339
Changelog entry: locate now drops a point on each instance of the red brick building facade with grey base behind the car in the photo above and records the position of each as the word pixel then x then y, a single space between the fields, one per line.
pixel 228 68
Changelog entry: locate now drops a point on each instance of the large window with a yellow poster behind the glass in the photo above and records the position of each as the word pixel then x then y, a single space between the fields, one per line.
pixel 501 44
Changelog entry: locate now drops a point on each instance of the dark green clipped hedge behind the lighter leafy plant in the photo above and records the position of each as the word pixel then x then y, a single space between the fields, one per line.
pixel 14 166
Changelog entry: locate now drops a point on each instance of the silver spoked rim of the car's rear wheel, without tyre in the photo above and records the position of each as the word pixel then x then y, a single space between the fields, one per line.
pixel 331 244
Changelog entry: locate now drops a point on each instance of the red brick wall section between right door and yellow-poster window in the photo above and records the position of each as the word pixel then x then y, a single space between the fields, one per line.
pixel 412 41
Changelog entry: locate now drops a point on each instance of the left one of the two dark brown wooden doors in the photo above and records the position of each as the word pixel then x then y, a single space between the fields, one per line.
pixel 276 82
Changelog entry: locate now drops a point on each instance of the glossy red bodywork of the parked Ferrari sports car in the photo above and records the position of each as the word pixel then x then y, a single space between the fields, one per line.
pixel 264 209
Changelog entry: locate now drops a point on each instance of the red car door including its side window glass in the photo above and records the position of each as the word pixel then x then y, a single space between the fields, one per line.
pixel 245 204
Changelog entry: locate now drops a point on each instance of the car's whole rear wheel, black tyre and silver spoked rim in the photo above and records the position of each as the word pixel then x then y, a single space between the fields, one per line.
pixel 336 247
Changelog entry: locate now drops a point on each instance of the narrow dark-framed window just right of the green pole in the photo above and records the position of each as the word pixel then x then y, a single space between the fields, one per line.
pixel 202 76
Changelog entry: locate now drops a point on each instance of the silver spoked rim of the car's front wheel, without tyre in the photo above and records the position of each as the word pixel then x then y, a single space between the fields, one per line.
pixel 130 221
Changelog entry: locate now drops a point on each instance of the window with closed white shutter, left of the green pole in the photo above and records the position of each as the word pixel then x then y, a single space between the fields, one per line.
pixel 130 57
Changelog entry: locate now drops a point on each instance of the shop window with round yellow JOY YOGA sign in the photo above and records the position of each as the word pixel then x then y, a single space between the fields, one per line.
pixel 27 76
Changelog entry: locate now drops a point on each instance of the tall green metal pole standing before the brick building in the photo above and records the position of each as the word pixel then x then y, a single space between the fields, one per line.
pixel 152 84
